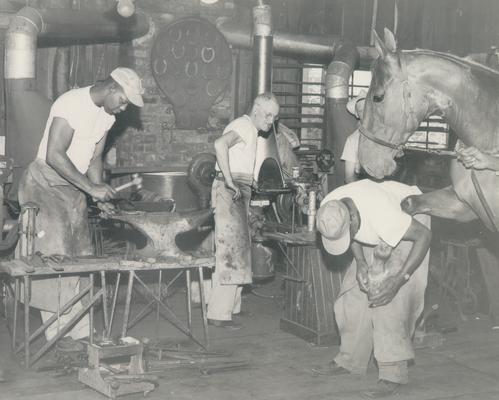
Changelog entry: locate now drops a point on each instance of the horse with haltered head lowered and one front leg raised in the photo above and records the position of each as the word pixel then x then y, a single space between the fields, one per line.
pixel 407 86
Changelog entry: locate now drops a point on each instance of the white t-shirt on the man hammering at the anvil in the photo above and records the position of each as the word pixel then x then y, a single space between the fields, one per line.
pixel 90 124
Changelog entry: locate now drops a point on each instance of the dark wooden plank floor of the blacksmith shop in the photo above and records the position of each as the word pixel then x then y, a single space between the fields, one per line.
pixel 465 366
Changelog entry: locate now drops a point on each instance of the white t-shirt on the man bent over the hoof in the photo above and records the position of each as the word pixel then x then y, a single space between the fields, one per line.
pixel 379 209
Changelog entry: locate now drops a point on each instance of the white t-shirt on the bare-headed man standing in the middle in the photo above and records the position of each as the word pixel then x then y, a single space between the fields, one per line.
pixel 242 155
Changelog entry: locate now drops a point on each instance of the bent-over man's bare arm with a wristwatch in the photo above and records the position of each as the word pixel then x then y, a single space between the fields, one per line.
pixel 420 236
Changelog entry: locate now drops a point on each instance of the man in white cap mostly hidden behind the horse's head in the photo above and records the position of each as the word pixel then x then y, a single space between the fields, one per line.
pixel 350 155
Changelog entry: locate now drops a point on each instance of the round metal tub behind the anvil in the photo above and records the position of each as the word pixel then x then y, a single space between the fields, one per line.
pixel 172 185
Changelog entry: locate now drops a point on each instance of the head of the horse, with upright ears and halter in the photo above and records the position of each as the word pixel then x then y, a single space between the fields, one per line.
pixel 393 110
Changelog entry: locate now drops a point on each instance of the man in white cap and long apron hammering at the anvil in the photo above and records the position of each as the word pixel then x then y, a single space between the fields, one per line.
pixel 68 167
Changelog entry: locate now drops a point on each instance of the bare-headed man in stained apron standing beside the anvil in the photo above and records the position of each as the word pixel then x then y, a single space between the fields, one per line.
pixel 231 193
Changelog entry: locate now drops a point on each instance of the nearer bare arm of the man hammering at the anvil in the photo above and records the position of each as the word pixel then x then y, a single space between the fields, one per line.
pixel 59 140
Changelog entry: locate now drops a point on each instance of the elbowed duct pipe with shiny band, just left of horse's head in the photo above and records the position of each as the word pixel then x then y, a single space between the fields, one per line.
pixel 339 123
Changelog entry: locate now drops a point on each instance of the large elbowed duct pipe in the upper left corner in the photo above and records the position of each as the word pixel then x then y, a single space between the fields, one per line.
pixel 26 109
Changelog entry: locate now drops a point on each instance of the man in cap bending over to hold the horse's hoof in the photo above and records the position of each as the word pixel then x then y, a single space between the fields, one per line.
pixel 380 299
